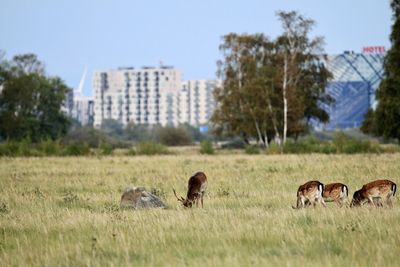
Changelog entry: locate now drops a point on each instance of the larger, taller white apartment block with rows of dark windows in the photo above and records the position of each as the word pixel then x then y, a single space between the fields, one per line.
pixel 141 96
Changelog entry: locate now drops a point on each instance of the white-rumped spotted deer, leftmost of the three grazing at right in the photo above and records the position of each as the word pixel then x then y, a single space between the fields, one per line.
pixel 310 192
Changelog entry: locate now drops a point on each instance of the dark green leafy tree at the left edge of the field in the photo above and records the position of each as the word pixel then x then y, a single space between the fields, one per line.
pixel 30 103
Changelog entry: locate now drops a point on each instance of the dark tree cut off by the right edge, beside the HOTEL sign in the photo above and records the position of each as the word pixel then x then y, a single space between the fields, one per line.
pixel 385 120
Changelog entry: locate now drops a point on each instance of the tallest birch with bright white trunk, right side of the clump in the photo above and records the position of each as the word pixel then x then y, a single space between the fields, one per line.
pixel 304 78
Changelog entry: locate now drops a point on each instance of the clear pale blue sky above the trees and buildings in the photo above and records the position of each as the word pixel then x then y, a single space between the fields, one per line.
pixel 71 35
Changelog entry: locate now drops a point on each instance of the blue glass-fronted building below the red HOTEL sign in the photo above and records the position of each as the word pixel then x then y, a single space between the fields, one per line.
pixel 356 77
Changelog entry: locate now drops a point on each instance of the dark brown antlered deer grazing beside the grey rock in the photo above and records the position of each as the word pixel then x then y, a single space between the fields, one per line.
pixel 196 188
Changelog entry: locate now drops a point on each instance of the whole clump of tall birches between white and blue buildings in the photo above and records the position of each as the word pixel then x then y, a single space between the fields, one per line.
pixel 271 88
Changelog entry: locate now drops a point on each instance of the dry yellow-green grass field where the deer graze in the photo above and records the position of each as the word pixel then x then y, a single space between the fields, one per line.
pixel 65 212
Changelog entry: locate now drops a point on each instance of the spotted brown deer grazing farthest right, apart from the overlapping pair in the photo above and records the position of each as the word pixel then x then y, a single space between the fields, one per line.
pixel 374 192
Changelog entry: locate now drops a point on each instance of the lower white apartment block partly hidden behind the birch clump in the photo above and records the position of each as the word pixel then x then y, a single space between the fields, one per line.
pixel 196 101
